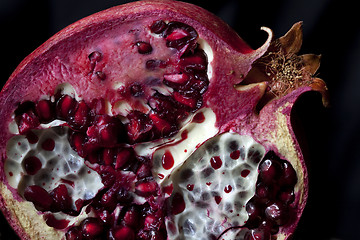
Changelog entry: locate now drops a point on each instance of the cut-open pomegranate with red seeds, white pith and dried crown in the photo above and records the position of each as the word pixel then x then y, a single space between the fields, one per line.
pixel 155 120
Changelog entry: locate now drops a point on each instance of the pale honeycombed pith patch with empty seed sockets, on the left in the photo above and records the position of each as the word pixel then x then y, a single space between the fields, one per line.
pixel 62 163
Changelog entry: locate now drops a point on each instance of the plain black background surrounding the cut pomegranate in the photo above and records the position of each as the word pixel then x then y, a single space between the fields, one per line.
pixel 331 28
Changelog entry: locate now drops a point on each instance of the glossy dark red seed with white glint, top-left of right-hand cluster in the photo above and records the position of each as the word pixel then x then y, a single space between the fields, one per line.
pixel 269 171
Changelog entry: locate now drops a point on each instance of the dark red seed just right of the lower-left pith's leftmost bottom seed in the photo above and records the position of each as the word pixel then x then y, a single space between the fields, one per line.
pixel 61 199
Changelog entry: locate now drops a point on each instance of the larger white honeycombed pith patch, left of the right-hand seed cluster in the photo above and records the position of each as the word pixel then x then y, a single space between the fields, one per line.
pixel 203 216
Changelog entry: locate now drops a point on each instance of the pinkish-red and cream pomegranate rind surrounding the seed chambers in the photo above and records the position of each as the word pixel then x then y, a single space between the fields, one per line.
pixel 269 123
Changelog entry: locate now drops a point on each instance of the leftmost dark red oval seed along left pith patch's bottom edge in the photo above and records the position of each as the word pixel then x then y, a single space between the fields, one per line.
pixel 39 196
